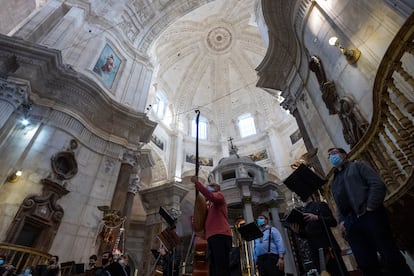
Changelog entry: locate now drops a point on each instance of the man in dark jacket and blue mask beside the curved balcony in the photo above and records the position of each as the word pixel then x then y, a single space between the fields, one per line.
pixel 359 193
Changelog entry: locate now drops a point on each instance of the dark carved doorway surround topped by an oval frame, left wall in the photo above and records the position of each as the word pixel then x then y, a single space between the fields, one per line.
pixel 39 216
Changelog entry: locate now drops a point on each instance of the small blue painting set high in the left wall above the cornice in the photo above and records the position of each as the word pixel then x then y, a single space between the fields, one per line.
pixel 107 66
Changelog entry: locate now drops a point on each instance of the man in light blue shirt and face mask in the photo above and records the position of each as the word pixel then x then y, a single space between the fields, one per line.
pixel 269 250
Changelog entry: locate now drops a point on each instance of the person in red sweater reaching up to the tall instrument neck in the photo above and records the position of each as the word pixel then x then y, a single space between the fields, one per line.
pixel 217 228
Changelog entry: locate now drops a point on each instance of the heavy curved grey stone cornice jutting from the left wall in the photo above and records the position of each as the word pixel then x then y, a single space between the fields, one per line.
pixel 58 86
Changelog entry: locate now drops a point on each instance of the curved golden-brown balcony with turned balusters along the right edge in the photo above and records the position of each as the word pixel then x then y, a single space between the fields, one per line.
pixel 388 144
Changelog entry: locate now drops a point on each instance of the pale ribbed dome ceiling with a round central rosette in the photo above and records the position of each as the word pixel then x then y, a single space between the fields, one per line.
pixel 206 60
